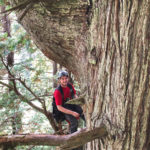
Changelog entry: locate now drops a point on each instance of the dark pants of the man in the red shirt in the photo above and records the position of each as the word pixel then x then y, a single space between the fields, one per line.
pixel 72 120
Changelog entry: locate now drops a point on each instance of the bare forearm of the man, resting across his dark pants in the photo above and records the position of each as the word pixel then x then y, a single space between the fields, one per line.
pixel 67 111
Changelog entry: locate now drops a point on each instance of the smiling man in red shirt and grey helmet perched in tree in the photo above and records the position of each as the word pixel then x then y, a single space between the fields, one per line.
pixel 62 111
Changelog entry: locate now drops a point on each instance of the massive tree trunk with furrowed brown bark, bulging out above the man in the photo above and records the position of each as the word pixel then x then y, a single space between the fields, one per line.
pixel 105 43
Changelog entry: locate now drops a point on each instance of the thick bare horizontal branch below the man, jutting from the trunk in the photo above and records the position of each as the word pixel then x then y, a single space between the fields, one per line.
pixel 64 141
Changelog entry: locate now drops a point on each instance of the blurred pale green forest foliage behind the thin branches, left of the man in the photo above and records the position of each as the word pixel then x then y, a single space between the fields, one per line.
pixel 31 66
